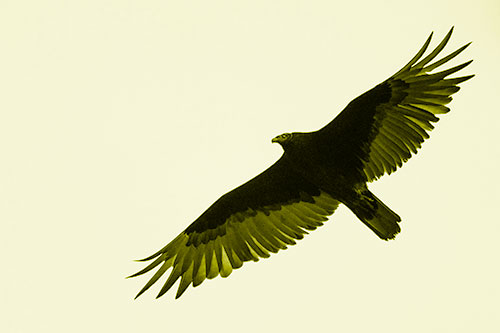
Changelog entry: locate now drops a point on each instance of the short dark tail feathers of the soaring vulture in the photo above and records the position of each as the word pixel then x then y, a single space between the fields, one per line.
pixel 377 216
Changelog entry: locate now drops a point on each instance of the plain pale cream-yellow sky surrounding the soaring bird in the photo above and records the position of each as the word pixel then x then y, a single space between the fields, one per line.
pixel 121 121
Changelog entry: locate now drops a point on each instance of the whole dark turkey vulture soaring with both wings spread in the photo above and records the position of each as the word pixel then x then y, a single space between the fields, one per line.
pixel 373 135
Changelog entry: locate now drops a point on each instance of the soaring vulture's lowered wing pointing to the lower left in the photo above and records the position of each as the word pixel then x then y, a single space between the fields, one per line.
pixel 264 215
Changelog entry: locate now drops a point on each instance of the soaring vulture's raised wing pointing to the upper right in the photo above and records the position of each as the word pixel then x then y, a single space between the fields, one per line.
pixel 382 128
